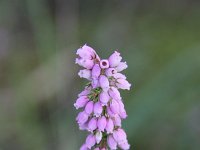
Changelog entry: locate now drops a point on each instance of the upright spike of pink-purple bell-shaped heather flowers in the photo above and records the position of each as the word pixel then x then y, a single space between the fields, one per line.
pixel 102 105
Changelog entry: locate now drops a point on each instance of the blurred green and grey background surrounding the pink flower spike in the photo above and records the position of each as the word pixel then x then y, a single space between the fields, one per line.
pixel 160 40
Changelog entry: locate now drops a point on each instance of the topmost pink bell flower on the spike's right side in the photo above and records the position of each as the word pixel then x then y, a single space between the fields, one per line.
pixel 114 59
